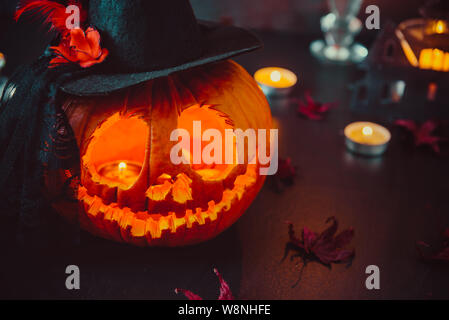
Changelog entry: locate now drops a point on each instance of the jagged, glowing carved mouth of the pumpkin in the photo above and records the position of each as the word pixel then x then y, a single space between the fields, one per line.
pixel 140 228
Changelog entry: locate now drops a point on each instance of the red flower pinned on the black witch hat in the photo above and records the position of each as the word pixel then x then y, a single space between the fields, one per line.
pixel 80 47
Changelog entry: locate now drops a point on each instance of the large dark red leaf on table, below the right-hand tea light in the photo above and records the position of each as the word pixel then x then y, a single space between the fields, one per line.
pixel 326 247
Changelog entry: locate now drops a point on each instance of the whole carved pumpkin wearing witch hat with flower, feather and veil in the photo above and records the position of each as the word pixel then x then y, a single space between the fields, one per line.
pixel 110 96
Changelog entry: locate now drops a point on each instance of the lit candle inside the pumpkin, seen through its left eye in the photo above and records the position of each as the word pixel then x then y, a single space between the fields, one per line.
pixel 122 172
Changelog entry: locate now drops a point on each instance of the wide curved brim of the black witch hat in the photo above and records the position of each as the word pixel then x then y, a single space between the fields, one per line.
pixel 220 43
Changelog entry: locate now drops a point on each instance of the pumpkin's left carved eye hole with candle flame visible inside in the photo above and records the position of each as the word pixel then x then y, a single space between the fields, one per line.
pixel 116 151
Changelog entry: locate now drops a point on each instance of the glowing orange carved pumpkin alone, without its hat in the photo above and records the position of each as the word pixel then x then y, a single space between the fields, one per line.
pixel 130 190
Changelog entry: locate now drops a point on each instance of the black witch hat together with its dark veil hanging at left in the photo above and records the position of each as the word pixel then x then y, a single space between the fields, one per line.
pixel 145 39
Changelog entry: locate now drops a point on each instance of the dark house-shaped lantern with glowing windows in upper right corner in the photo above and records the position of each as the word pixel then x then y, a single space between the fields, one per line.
pixel 407 71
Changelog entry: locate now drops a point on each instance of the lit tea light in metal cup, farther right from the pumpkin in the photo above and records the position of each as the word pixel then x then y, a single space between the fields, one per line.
pixel 367 138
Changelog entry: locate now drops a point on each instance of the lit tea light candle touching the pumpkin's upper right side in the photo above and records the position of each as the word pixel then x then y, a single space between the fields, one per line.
pixel 275 81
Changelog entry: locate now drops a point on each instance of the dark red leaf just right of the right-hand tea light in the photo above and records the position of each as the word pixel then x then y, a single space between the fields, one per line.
pixel 422 134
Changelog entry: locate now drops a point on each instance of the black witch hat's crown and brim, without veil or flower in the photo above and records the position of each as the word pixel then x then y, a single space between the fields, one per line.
pixel 152 39
